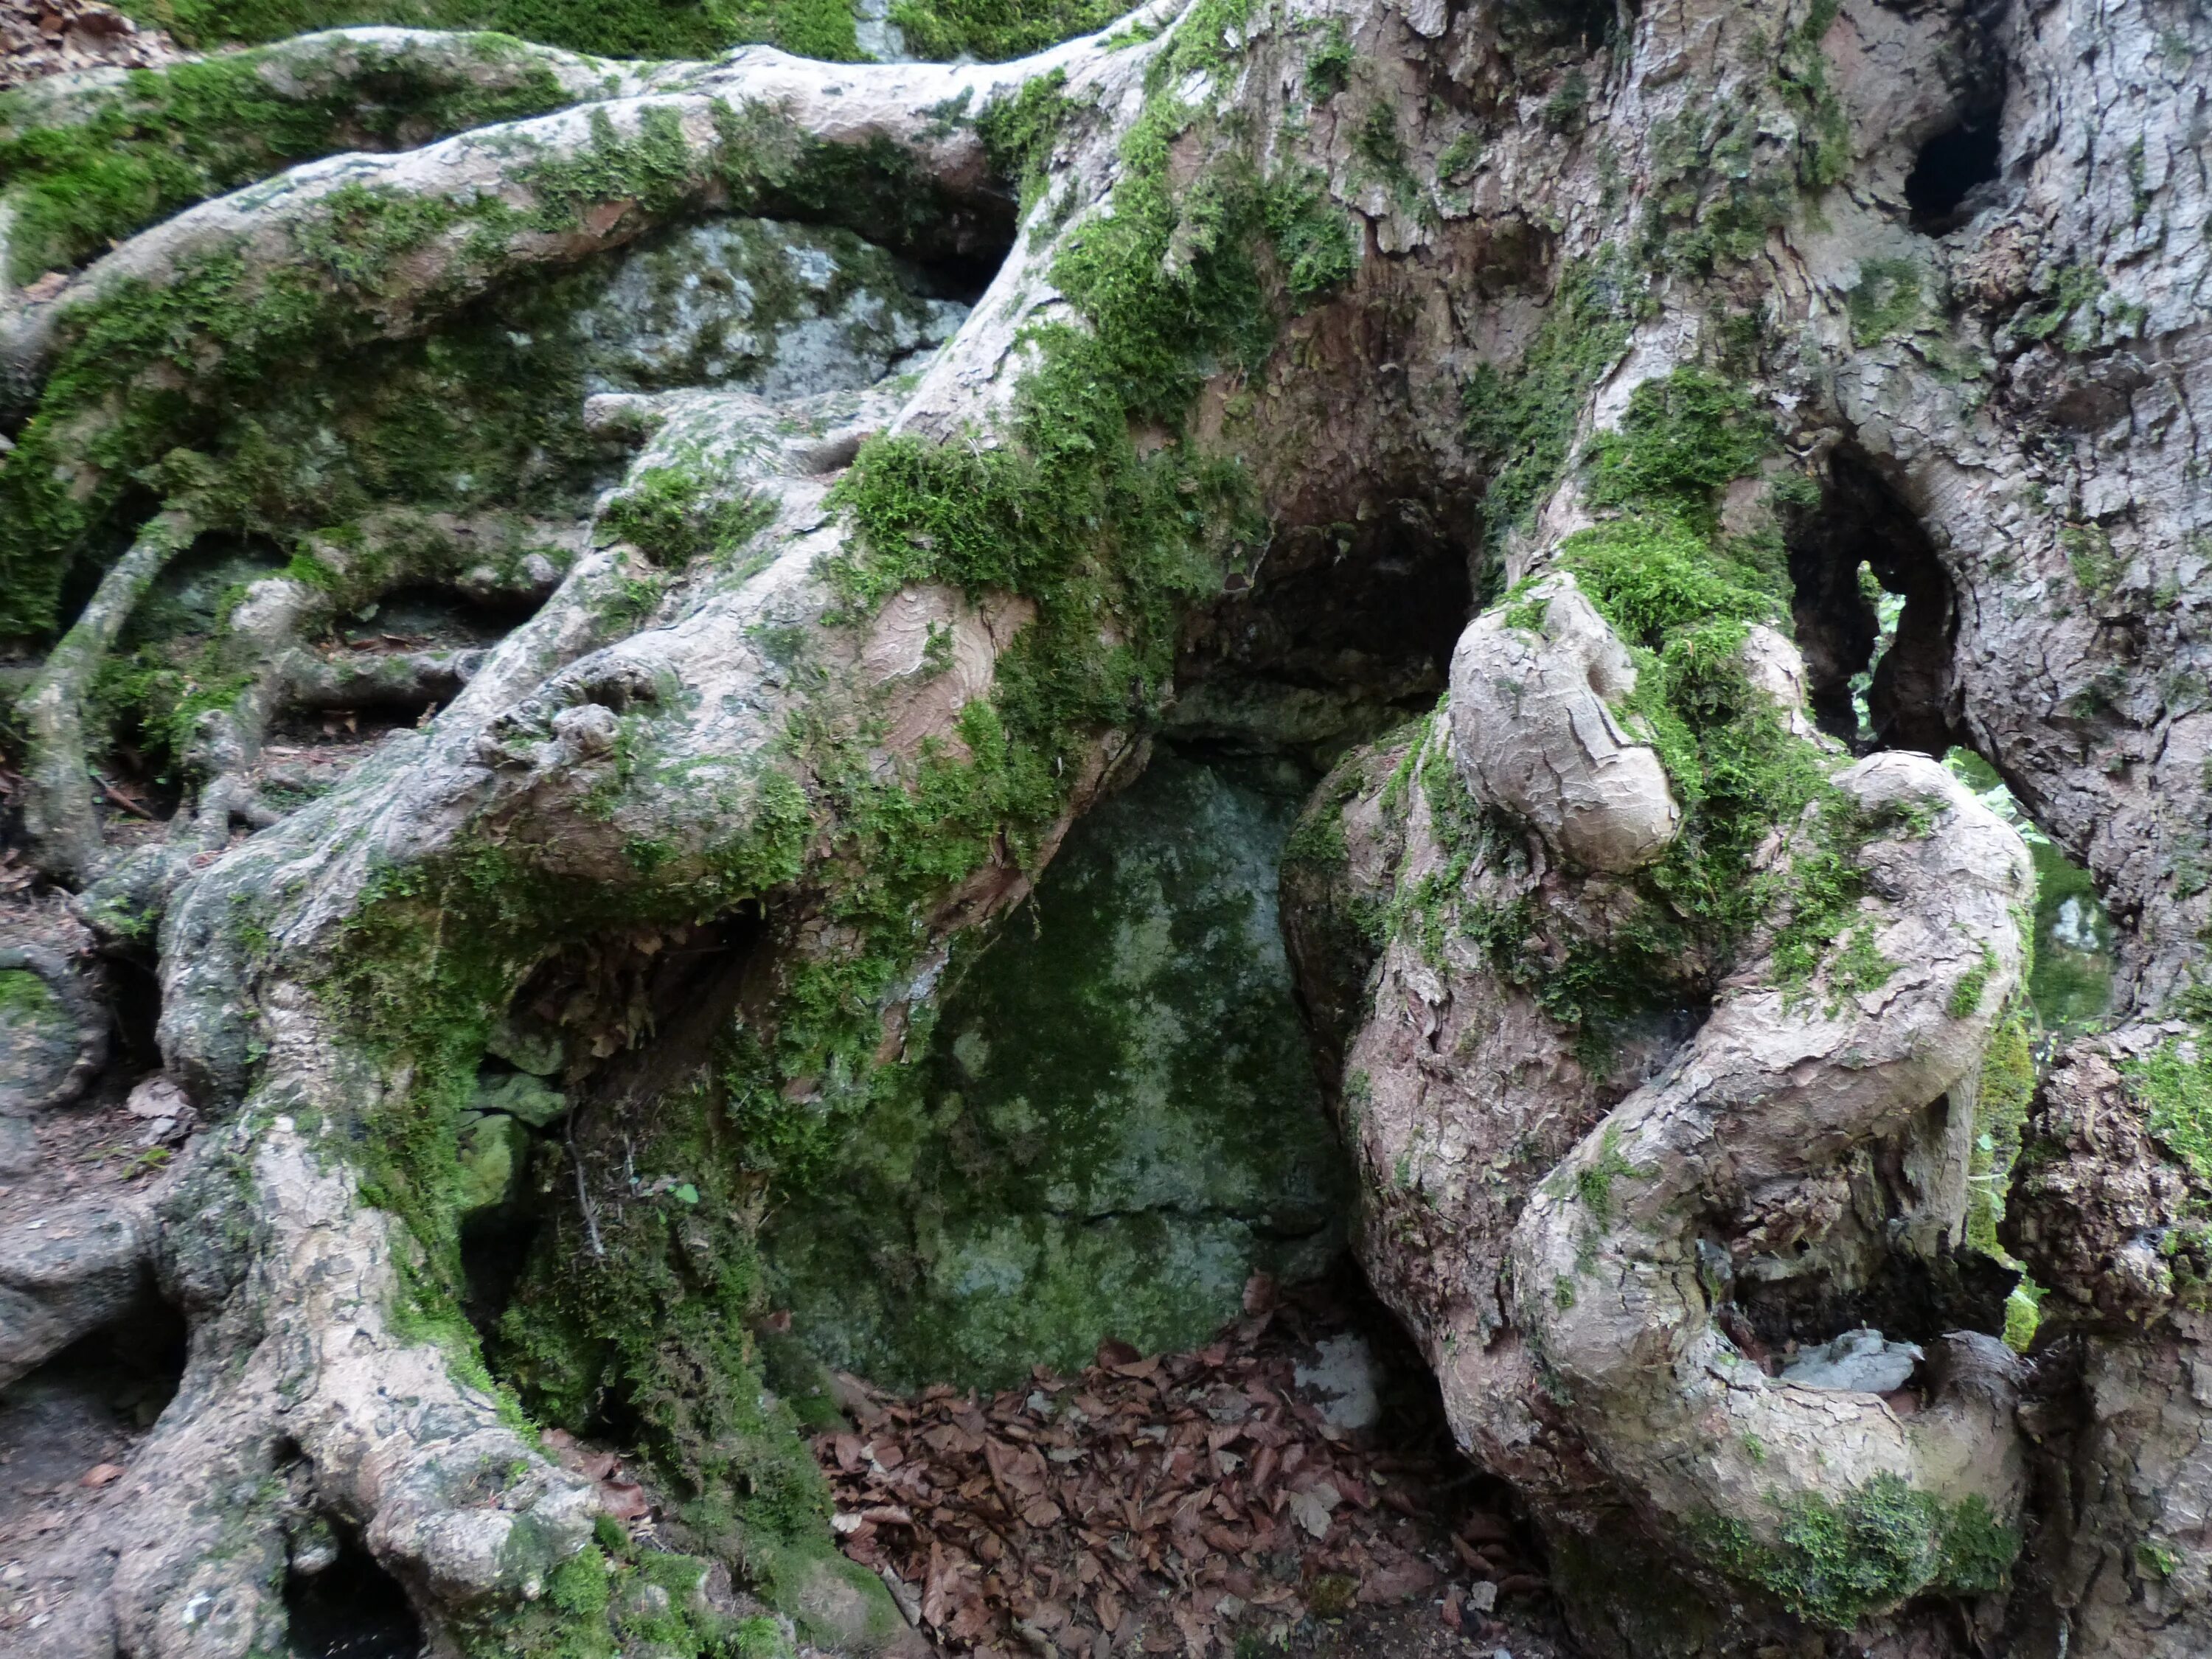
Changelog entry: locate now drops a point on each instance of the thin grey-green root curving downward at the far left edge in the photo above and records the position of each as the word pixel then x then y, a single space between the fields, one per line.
pixel 59 815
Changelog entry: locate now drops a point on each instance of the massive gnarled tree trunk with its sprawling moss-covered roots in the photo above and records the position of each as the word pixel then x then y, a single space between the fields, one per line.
pixel 1662 997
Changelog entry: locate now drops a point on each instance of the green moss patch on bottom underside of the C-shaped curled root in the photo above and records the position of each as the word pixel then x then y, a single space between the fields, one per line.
pixel 1833 1563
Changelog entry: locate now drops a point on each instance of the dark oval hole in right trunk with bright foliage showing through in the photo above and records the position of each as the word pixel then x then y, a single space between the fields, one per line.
pixel 1875 616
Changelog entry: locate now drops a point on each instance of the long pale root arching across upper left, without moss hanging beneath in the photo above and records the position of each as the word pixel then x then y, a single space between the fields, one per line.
pixel 563 187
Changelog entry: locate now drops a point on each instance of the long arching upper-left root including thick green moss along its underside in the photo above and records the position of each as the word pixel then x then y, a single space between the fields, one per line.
pixel 123 366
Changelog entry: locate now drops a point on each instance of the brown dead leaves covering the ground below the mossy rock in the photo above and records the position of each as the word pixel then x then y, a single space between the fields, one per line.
pixel 1288 1490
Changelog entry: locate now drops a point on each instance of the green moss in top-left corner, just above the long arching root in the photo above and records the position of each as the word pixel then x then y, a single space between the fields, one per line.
pixel 167 138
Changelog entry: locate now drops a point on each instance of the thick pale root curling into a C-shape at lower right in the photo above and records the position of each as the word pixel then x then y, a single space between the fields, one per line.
pixel 1771 1481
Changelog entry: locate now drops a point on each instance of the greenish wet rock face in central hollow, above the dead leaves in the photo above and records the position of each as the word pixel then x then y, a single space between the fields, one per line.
pixel 1116 1123
